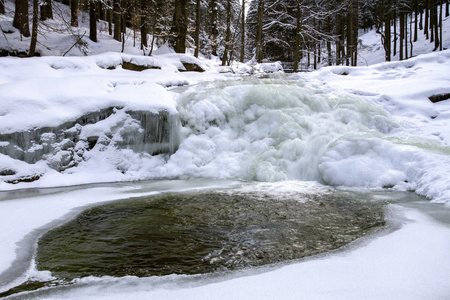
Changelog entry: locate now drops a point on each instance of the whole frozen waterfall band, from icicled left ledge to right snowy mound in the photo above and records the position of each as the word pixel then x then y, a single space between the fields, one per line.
pixel 268 129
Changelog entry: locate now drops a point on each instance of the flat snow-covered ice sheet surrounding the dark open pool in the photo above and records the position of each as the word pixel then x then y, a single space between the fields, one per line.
pixel 421 246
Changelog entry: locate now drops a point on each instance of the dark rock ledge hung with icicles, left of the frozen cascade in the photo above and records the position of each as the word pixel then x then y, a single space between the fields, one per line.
pixel 65 146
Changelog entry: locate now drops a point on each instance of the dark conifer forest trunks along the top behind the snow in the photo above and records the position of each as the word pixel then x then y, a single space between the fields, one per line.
pixel 318 31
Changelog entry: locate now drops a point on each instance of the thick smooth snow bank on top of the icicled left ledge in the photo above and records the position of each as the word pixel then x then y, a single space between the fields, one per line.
pixel 48 91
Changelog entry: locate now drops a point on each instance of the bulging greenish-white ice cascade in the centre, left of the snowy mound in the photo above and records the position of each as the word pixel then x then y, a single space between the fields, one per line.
pixel 267 130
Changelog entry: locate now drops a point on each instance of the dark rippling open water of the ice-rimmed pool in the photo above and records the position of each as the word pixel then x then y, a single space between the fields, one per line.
pixel 192 233
